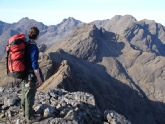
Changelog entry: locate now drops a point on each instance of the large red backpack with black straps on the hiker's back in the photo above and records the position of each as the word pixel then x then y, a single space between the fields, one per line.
pixel 15 56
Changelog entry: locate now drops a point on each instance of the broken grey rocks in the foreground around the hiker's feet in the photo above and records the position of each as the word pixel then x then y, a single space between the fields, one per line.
pixel 56 106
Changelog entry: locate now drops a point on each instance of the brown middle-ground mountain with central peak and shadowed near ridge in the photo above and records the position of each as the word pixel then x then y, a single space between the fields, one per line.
pixel 119 76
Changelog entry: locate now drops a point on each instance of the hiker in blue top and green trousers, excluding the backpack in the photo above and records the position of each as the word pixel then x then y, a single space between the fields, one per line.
pixel 32 79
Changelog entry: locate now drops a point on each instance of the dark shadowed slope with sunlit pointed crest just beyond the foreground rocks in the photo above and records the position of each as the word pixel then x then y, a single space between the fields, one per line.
pixel 74 75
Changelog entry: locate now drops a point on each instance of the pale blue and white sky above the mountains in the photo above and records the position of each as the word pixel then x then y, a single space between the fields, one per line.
pixel 51 12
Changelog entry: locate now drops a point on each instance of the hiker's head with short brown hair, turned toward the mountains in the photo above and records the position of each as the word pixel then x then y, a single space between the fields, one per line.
pixel 33 33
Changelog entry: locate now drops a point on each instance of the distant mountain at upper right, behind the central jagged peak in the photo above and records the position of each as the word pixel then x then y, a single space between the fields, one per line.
pixel 144 35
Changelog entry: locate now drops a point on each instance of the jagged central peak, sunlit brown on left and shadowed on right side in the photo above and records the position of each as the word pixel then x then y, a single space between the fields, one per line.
pixel 86 42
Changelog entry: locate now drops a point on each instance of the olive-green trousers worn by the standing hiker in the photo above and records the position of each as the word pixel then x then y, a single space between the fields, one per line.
pixel 28 97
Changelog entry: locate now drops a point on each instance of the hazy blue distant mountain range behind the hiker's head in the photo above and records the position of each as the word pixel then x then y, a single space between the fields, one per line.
pixel 49 35
